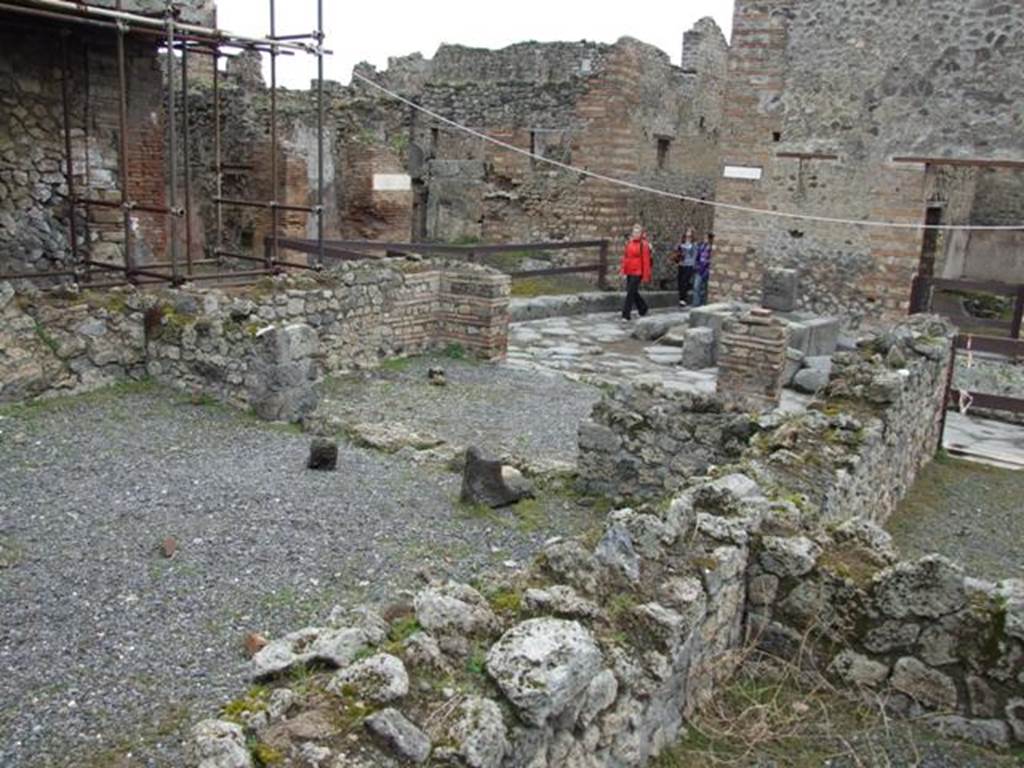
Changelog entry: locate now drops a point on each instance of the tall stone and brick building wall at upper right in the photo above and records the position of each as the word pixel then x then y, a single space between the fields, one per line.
pixel 867 81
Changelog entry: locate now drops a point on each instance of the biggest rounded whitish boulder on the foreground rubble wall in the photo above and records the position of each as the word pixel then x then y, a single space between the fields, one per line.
pixel 543 665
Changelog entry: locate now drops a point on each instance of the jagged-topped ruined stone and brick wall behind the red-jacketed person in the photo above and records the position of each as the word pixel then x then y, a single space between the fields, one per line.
pixel 600 107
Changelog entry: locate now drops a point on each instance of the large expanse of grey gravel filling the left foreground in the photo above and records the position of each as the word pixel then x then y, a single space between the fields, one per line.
pixel 109 652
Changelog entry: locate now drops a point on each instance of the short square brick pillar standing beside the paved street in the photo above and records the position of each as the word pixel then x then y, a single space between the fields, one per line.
pixel 752 361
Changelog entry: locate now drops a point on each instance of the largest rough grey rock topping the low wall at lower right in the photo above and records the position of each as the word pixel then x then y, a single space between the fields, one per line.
pixel 929 588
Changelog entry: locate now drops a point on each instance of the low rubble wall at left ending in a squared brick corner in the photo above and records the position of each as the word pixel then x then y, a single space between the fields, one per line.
pixel 216 343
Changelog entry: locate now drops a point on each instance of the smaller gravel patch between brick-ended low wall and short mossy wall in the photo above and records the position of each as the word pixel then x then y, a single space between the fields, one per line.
pixel 500 409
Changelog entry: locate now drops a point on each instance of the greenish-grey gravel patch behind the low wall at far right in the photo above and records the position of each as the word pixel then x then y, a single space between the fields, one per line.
pixel 969 513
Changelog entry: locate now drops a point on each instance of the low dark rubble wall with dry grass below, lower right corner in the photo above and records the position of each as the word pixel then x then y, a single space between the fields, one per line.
pixel 937 645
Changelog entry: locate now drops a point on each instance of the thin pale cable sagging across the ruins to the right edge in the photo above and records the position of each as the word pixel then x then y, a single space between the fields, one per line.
pixel 677 196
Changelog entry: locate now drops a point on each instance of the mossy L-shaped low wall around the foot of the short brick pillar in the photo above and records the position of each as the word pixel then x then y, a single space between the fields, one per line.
pixel 856 454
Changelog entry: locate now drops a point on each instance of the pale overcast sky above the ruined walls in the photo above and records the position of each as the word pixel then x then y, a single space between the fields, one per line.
pixel 372 30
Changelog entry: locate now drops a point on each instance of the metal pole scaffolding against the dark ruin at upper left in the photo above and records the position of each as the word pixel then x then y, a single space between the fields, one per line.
pixel 188 39
